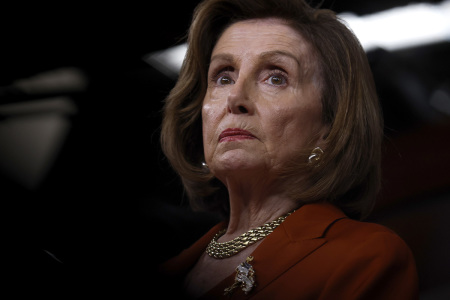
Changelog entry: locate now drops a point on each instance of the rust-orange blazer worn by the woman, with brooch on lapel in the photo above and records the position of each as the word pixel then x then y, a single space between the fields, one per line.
pixel 319 253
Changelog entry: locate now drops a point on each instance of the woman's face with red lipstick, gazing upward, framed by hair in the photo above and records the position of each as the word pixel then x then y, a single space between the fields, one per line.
pixel 262 104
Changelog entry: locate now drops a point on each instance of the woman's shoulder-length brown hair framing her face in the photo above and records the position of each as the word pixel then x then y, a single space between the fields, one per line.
pixel 349 171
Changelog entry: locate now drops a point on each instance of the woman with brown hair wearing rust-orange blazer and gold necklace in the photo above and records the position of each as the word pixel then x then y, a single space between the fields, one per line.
pixel 274 122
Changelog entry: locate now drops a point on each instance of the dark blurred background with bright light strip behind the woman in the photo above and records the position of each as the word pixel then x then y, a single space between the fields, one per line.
pixel 89 199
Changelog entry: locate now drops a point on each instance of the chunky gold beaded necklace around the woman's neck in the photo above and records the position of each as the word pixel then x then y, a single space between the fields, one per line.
pixel 227 249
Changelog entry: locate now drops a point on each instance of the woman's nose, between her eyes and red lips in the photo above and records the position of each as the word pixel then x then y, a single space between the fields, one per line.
pixel 239 100
